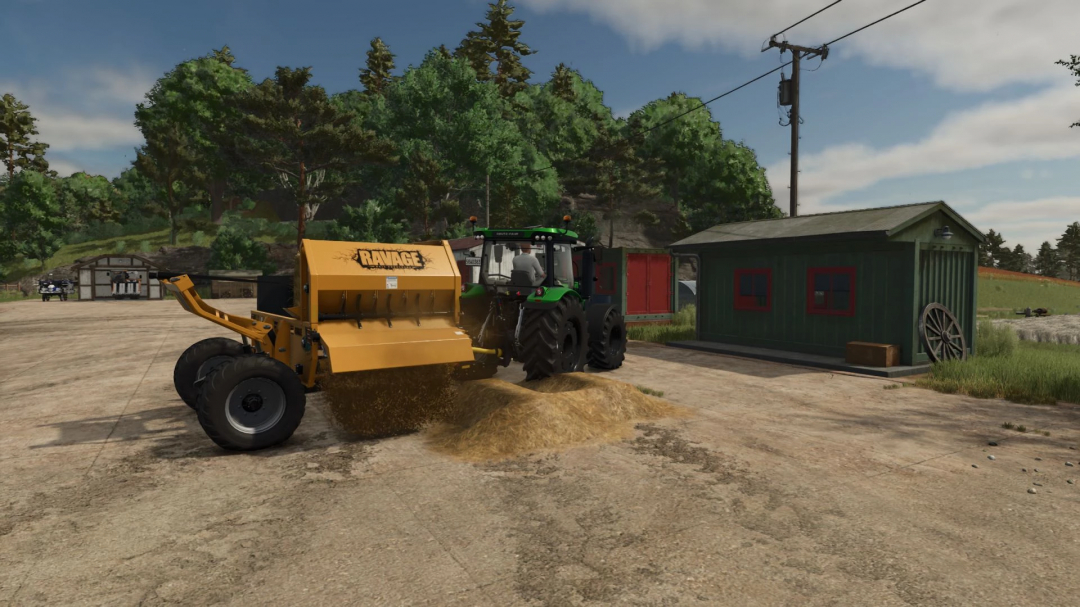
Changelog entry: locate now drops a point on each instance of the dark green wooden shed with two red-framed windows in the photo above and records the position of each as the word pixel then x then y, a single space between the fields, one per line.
pixel 815 284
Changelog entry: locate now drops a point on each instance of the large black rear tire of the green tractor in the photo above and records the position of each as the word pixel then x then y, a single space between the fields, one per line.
pixel 555 341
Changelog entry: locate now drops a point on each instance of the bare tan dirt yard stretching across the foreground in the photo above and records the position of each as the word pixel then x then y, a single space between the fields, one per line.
pixel 789 487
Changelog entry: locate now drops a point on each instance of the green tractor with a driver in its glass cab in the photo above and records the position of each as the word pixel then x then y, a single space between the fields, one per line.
pixel 533 305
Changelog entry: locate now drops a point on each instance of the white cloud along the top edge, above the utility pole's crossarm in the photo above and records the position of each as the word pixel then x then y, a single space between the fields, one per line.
pixel 963 45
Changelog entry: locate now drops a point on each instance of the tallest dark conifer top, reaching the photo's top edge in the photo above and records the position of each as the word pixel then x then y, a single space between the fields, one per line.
pixel 497 42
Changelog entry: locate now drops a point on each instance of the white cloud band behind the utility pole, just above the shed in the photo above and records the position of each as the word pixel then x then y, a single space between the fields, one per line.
pixel 1031 129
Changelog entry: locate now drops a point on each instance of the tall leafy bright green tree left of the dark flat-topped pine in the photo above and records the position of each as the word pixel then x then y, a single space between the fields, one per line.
pixel 199 97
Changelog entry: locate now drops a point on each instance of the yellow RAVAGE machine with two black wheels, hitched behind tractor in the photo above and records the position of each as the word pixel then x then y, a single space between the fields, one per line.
pixel 359 307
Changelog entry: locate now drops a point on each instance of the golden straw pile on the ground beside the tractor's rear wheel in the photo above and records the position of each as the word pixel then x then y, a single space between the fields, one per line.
pixel 494 420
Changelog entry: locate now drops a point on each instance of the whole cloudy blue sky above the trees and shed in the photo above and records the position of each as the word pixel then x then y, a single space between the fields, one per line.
pixel 951 101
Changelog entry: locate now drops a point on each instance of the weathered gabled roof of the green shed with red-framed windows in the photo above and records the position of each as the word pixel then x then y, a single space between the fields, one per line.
pixel 867 223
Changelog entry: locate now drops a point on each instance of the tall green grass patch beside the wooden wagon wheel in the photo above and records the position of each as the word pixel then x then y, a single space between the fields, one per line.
pixel 1036 373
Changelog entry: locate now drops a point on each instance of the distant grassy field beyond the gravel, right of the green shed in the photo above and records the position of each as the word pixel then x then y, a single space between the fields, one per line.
pixel 1001 293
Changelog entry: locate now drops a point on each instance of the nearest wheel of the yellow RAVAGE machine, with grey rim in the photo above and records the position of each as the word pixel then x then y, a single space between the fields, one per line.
pixel 251 403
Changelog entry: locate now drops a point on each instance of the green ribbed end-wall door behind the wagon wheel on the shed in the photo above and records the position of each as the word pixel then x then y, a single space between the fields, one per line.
pixel 948 278
